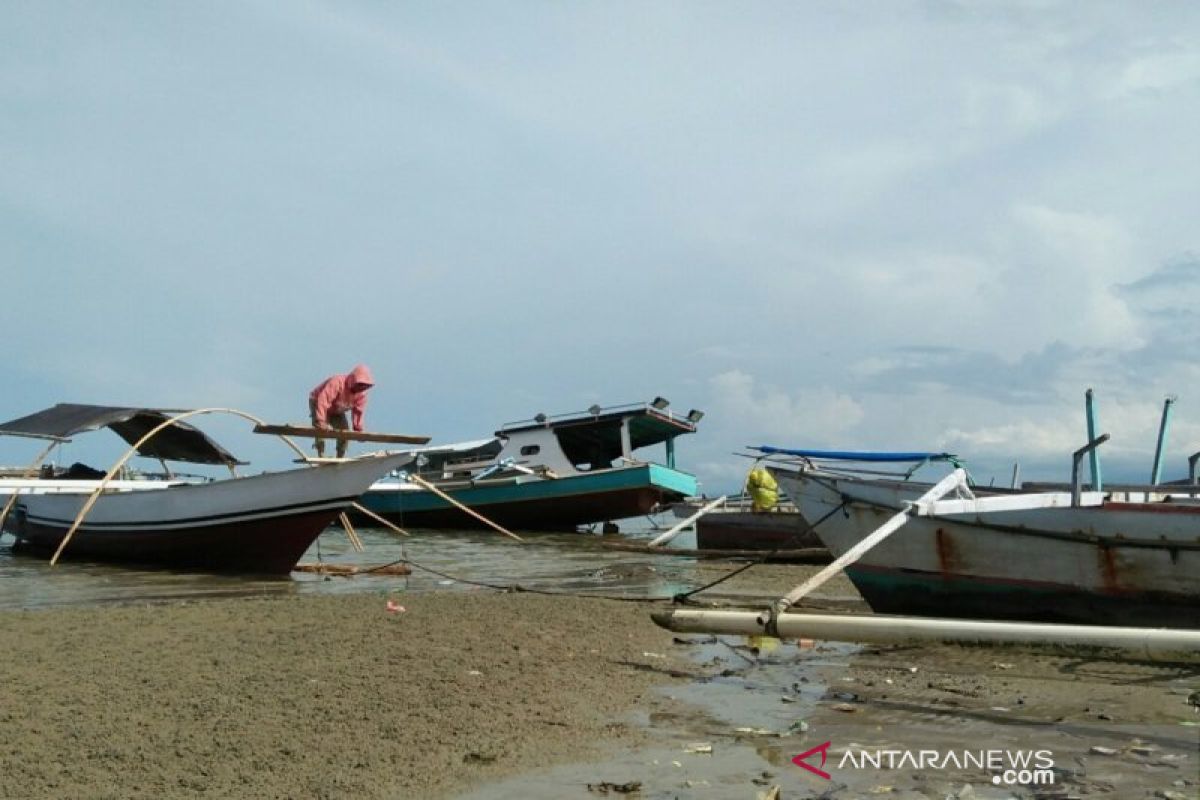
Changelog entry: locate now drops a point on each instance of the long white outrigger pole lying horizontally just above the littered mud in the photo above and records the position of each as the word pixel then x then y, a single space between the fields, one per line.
pixel 1151 643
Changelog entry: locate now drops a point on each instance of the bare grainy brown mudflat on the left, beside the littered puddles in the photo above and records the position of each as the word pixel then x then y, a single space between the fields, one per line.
pixel 315 696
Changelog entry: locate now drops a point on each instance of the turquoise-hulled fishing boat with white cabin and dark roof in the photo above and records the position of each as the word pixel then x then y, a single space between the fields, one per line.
pixel 547 473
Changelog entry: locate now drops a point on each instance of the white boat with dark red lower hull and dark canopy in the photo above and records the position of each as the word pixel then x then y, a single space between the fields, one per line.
pixel 253 525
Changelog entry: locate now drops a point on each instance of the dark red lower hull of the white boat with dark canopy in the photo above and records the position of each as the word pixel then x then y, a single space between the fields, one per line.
pixel 261 548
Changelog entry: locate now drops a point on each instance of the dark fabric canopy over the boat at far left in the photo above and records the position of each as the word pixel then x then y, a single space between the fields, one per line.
pixel 181 442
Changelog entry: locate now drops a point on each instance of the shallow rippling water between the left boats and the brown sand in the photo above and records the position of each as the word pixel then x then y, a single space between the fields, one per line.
pixel 548 562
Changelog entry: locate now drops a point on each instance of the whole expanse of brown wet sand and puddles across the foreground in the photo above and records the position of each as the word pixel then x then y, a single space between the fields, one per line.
pixel 508 696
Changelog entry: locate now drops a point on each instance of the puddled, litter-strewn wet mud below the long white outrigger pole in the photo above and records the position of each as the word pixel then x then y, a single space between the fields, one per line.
pixel 1101 729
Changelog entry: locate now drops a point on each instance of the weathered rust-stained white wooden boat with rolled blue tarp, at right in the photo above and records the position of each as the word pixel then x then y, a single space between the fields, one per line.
pixel 1133 560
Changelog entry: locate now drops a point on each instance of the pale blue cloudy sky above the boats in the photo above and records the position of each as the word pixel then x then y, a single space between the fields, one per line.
pixel 854 226
